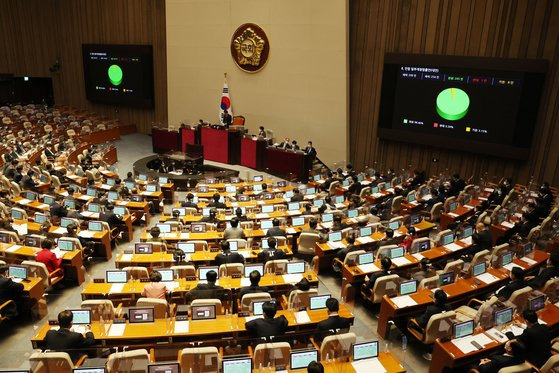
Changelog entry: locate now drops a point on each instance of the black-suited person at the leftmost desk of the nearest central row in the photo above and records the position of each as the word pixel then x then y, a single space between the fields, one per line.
pixel 65 340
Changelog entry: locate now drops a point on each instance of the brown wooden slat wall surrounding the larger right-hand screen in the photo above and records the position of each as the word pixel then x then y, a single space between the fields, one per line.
pixel 487 28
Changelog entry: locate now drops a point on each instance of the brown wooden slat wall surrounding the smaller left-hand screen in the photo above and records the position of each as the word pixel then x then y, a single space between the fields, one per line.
pixel 34 33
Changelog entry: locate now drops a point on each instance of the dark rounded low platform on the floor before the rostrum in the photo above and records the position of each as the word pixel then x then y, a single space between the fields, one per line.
pixel 186 180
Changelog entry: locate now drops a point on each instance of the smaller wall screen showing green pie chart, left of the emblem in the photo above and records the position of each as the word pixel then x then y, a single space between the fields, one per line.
pixel 119 74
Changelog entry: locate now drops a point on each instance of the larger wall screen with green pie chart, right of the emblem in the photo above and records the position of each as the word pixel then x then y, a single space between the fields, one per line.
pixel 482 105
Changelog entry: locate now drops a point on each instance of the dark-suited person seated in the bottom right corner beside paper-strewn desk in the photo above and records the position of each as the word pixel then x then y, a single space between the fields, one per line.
pixel 536 338
